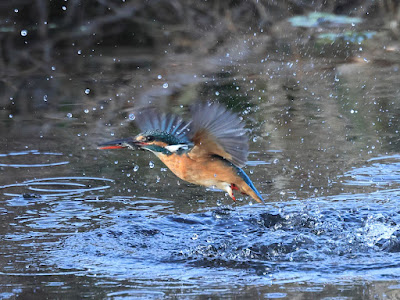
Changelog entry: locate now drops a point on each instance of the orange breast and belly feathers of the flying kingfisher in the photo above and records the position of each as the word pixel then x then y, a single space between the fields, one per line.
pixel 206 172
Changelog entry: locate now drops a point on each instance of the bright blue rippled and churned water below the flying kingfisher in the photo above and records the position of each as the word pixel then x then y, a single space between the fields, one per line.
pixel 141 246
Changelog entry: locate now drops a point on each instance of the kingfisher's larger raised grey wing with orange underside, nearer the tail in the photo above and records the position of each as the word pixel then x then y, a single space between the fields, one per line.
pixel 216 131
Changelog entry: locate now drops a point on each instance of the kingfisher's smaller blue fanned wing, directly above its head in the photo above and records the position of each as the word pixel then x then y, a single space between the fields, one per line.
pixel 150 118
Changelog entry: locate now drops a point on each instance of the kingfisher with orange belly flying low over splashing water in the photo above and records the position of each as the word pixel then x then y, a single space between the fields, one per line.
pixel 209 149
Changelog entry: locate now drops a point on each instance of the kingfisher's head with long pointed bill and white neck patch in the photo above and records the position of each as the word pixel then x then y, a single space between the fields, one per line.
pixel 156 141
